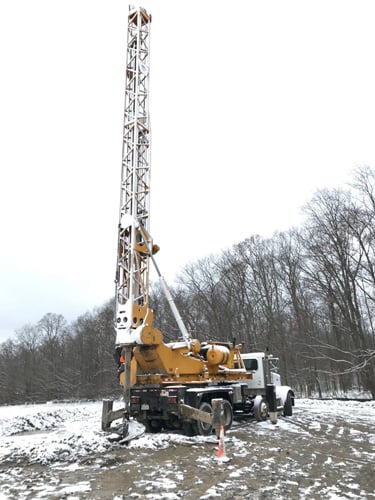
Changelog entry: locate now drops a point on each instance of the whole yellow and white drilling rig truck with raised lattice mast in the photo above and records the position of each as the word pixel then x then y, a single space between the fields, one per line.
pixel 188 384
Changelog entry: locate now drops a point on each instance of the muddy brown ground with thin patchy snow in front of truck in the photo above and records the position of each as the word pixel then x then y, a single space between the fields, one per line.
pixel 319 452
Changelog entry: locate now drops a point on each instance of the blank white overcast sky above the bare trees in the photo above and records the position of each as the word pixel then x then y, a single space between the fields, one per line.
pixel 254 106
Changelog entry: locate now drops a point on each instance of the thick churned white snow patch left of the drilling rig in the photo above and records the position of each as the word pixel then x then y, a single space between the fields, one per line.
pixel 51 432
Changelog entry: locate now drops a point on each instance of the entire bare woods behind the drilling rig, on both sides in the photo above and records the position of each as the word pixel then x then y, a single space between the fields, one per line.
pixel 307 295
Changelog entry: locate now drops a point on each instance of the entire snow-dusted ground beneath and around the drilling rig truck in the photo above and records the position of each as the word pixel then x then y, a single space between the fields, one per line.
pixel 53 451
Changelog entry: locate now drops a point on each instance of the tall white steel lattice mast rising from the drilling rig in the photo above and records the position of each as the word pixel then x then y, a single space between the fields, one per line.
pixel 132 274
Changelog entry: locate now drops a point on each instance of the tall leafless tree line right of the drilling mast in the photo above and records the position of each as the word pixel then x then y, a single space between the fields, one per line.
pixel 307 295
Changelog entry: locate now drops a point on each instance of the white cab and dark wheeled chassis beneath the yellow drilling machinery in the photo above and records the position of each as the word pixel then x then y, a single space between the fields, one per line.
pixel 174 406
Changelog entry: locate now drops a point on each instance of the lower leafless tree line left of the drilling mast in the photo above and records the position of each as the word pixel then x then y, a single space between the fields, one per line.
pixel 54 360
